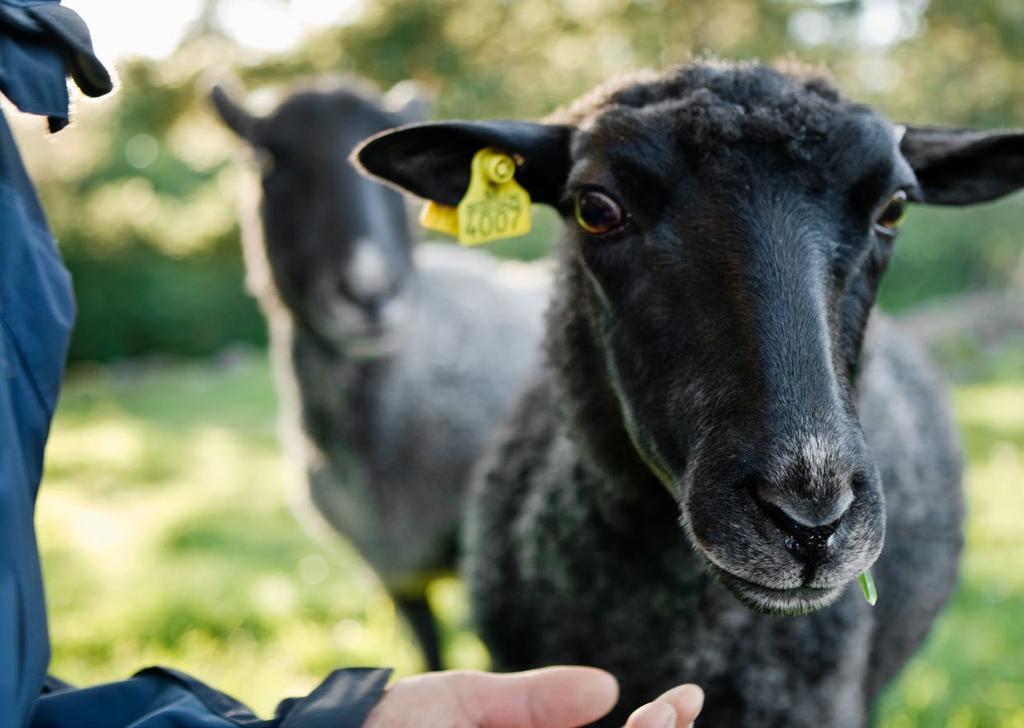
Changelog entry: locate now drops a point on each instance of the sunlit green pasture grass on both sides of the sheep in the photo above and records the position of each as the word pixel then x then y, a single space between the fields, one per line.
pixel 167 539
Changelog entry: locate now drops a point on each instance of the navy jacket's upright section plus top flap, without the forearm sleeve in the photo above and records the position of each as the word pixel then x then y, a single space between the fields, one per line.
pixel 36 315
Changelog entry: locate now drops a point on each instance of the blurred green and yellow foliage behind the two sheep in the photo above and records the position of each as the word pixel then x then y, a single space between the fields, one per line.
pixel 142 192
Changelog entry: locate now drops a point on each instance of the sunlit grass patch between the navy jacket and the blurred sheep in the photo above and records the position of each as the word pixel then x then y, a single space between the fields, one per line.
pixel 166 540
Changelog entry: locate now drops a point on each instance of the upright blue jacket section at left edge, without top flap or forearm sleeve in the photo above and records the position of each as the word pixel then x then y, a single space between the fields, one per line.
pixel 36 314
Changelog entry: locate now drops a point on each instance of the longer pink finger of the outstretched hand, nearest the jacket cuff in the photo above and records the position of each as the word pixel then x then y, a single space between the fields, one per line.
pixel 552 698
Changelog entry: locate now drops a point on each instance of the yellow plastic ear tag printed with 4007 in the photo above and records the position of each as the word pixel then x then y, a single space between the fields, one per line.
pixel 494 207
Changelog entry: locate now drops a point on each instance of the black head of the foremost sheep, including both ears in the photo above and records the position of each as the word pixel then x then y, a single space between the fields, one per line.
pixel 728 232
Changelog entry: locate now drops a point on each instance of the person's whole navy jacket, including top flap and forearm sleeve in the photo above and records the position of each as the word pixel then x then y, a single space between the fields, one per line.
pixel 41 44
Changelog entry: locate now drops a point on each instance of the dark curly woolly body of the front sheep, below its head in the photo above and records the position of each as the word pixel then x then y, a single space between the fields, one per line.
pixel 572 563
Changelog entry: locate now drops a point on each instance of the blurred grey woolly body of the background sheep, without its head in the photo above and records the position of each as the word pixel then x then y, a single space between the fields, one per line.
pixel 391 434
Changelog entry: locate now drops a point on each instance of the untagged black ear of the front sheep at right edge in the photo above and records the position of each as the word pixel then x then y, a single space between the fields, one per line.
pixel 964 167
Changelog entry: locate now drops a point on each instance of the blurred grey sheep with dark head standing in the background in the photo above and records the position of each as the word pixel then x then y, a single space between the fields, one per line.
pixel 396 361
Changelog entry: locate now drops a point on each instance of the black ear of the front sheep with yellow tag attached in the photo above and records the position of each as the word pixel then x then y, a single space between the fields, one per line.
pixel 433 160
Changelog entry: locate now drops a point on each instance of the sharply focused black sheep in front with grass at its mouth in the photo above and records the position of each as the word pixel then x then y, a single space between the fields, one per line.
pixel 719 442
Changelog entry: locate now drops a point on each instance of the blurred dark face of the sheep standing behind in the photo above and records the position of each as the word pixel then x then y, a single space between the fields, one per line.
pixel 338 245
